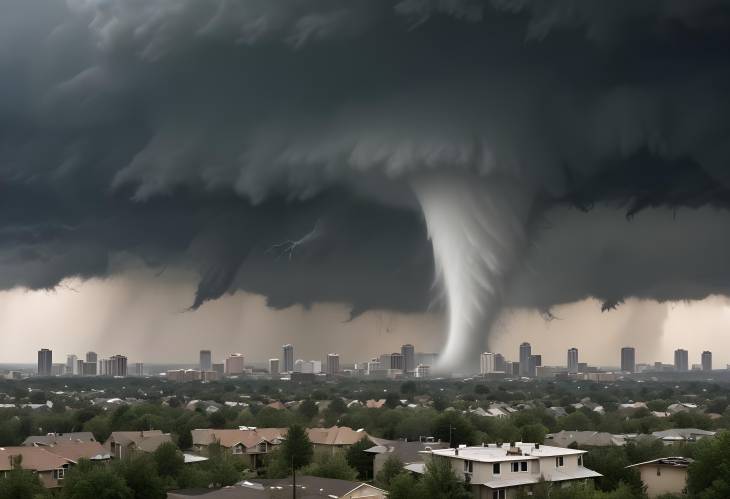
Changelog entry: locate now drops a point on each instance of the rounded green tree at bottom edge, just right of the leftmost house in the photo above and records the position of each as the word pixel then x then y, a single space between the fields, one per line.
pixel 87 480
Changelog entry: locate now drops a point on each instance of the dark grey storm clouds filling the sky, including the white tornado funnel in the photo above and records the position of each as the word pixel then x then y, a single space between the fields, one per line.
pixel 453 158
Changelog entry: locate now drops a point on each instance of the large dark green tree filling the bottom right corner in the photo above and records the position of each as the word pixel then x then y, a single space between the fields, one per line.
pixel 709 474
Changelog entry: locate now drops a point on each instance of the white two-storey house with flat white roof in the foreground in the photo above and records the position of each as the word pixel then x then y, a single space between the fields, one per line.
pixel 497 471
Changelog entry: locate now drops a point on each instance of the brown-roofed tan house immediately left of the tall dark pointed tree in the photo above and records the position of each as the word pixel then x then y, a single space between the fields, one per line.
pixel 247 442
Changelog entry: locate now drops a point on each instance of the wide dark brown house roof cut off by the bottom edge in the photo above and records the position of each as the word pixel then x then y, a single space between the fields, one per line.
pixel 308 487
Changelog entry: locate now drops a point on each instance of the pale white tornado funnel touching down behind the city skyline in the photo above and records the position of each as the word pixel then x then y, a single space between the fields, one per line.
pixel 477 230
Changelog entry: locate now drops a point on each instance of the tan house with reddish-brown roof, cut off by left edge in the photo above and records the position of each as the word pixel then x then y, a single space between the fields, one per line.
pixel 51 468
